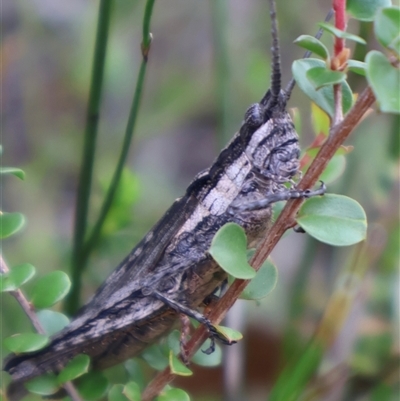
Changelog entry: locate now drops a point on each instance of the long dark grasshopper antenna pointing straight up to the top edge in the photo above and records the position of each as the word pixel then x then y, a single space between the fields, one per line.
pixel 276 58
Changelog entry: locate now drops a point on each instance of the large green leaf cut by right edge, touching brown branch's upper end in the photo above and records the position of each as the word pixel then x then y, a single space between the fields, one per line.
pixel 384 79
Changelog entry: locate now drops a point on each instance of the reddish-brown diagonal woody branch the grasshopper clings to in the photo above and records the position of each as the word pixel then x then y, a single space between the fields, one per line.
pixel 285 220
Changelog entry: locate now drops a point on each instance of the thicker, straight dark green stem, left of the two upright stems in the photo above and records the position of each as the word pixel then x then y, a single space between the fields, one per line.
pixel 89 147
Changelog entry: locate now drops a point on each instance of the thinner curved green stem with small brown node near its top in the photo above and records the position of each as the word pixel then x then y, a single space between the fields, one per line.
pixel 95 234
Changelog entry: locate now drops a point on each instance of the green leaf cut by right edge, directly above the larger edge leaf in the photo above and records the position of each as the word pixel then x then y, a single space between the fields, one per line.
pixel 386 26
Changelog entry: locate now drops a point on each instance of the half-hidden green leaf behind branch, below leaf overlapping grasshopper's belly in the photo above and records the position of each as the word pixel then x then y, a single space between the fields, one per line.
pixel 263 283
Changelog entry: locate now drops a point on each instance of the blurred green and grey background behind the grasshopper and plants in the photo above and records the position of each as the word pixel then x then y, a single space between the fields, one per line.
pixel 208 62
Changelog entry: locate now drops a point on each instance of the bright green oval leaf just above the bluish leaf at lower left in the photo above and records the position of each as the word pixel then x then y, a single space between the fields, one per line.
pixel 50 289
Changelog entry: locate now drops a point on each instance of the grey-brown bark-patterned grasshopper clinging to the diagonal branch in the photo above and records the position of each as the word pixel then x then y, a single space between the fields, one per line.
pixel 170 271
